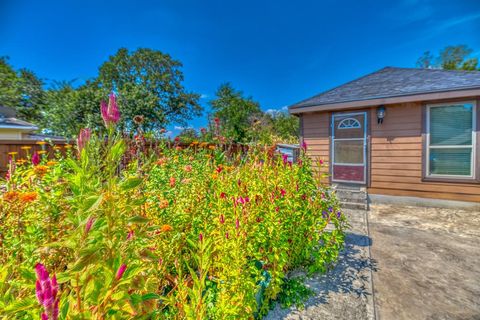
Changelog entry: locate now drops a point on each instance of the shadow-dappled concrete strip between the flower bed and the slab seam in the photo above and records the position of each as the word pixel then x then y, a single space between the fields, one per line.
pixel 346 291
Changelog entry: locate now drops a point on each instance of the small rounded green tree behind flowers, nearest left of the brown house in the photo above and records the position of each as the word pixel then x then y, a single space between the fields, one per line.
pixel 236 113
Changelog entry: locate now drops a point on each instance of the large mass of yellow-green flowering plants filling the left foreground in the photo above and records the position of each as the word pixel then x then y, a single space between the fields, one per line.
pixel 174 234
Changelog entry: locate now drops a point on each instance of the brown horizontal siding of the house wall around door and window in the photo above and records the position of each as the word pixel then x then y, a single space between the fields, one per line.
pixel 395 154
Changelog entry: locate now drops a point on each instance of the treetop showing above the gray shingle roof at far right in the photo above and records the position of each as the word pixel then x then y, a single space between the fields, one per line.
pixel 450 58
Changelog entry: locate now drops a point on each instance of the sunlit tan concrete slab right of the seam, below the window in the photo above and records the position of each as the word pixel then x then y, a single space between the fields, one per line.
pixel 427 261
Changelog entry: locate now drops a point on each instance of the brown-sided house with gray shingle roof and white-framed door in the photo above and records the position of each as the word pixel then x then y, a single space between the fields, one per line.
pixel 402 132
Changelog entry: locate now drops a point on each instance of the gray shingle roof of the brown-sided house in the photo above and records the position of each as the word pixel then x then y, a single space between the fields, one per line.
pixel 393 82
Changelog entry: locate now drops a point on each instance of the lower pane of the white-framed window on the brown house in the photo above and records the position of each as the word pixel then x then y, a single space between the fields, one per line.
pixel 456 162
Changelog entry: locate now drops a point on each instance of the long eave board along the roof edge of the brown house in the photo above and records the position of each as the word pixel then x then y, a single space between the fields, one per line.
pixel 439 95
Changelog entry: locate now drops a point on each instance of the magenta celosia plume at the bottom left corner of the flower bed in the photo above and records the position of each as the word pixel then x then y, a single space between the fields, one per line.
pixel 46 290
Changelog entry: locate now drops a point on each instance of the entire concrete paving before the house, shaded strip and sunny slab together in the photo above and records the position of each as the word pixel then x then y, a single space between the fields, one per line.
pixel 405 263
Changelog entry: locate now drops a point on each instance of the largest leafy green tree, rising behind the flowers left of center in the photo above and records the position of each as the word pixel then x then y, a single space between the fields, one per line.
pixel 148 83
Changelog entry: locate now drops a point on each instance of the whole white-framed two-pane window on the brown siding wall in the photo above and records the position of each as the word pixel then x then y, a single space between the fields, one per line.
pixel 451 140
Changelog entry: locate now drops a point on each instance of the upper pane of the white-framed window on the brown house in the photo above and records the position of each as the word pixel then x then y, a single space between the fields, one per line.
pixel 451 125
